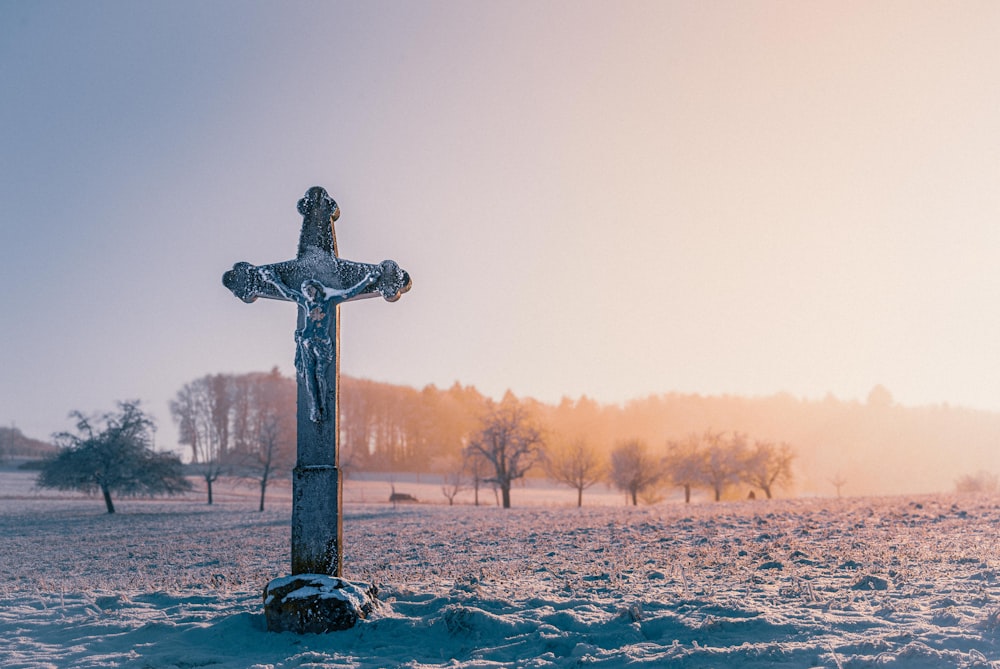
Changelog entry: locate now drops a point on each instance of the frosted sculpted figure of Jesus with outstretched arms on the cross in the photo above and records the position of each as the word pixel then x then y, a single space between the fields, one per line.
pixel 314 350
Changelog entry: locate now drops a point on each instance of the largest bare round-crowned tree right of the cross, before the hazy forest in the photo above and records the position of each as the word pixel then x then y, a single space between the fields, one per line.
pixel 509 441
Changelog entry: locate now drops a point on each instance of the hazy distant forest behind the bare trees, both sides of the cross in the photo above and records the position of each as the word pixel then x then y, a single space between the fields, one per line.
pixel 857 448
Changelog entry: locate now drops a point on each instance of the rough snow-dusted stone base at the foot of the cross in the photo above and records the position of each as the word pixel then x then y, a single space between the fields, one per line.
pixel 315 603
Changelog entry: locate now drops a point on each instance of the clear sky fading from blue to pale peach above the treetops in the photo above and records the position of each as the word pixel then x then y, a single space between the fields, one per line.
pixel 610 199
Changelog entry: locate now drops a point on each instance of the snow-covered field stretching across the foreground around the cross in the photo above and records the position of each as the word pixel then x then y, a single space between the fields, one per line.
pixel 903 582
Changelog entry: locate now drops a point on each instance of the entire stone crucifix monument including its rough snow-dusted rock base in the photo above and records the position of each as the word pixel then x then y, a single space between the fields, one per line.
pixel 315 599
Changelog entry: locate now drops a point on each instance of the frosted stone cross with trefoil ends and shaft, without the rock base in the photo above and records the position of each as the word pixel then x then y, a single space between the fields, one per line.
pixel 317 280
